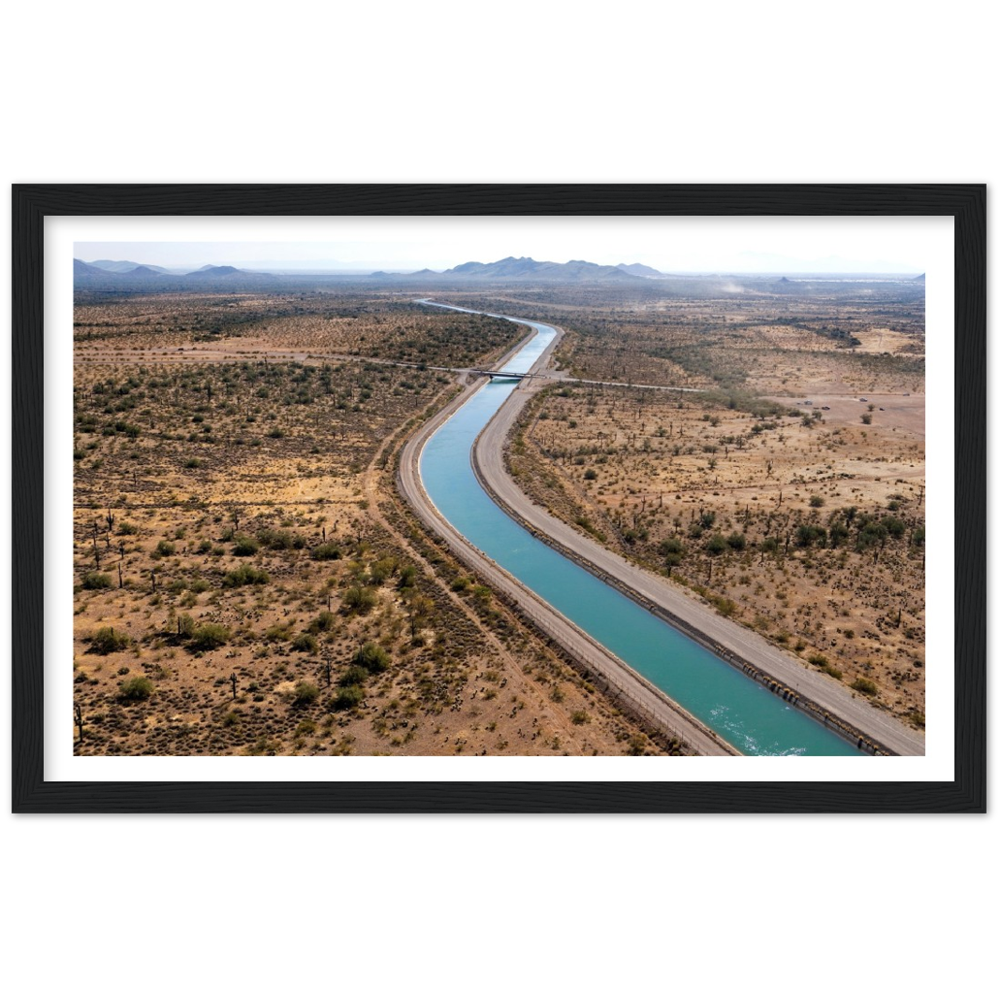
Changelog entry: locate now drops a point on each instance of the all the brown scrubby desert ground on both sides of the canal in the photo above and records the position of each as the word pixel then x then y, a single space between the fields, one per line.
pixel 249 581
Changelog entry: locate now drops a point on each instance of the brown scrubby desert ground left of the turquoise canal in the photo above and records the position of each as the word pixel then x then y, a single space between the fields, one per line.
pixel 247 580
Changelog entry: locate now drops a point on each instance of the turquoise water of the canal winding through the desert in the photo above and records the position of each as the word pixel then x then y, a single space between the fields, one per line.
pixel 745 714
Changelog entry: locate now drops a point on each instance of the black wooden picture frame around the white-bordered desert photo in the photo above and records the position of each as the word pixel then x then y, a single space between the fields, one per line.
pixel 33 798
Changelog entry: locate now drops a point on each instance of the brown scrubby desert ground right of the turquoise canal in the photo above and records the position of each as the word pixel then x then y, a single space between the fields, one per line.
pixel 788 494
